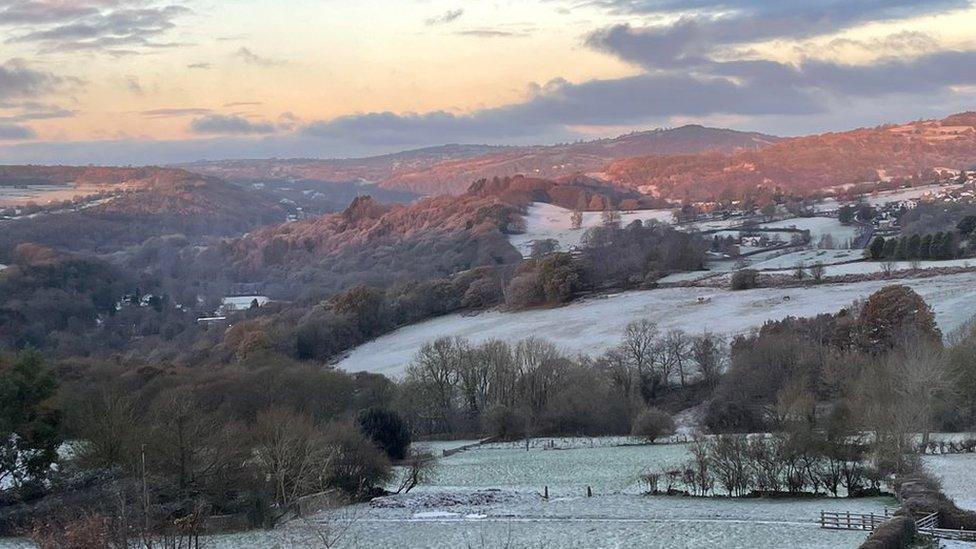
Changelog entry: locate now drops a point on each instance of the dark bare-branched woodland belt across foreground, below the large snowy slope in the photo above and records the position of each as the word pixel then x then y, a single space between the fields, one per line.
pixel 181 433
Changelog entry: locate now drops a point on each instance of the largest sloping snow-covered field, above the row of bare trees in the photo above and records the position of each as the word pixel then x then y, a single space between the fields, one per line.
pixel 594 325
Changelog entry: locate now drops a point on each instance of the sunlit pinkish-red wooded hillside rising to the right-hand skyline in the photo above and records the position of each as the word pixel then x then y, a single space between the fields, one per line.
pixel 884 154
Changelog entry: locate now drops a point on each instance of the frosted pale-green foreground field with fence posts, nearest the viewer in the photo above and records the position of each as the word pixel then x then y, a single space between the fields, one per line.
pixel 490 497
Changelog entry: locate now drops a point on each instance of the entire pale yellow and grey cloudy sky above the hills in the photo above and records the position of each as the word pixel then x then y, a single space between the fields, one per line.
pixel 167 81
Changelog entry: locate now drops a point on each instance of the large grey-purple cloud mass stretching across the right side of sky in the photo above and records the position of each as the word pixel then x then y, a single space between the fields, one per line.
pixel 690 70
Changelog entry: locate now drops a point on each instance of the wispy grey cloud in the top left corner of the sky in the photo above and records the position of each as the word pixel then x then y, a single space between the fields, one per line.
pixel 114 26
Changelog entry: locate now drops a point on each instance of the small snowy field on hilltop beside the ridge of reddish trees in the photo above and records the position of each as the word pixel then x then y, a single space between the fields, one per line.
pixel 548 221
